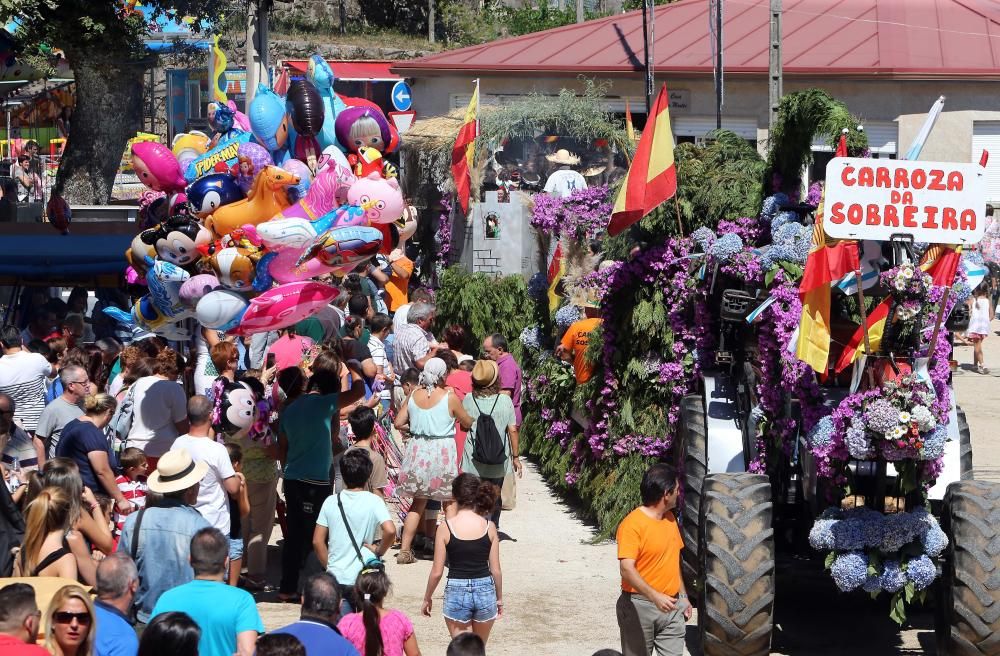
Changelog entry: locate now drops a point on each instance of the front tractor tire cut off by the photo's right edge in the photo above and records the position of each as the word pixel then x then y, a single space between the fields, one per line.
pixel 968 595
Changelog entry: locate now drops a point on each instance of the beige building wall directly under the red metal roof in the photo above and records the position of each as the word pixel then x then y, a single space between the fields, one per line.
pixel 902 101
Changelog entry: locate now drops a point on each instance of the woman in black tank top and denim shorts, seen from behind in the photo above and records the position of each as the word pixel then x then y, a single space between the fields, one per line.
pixel 472 595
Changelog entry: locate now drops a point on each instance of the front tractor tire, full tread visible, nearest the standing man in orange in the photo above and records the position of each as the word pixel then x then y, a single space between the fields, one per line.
pixel 736 540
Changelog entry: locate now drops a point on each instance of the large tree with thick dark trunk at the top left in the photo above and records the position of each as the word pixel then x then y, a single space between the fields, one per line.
pixel 103 41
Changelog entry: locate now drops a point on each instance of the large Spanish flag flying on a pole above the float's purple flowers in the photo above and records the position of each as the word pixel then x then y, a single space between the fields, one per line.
pixel 652 176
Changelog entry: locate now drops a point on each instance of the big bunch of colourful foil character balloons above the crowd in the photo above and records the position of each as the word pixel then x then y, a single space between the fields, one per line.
pixel 241 226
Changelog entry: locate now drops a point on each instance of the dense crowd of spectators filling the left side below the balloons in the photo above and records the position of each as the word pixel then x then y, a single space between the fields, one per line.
pixel 369 434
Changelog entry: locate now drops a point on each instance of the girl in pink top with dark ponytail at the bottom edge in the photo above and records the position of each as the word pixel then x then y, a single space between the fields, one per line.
pixel 376 631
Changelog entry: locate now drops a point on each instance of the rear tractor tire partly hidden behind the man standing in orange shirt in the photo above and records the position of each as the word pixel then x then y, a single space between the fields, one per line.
pixel 694 468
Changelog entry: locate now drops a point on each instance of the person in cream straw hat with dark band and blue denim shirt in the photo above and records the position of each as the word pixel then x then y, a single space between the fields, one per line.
pixel 159 538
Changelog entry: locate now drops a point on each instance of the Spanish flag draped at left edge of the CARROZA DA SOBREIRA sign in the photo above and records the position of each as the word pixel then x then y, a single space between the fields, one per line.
pixel 826 263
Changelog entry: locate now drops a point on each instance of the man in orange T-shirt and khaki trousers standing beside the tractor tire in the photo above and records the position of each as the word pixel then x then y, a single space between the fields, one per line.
pixel 653 606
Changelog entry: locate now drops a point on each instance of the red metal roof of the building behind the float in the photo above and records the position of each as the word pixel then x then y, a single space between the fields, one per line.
pixel 897 38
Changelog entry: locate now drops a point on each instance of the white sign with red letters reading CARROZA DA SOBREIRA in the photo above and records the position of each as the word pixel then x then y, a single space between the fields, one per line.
pixel 934 202
